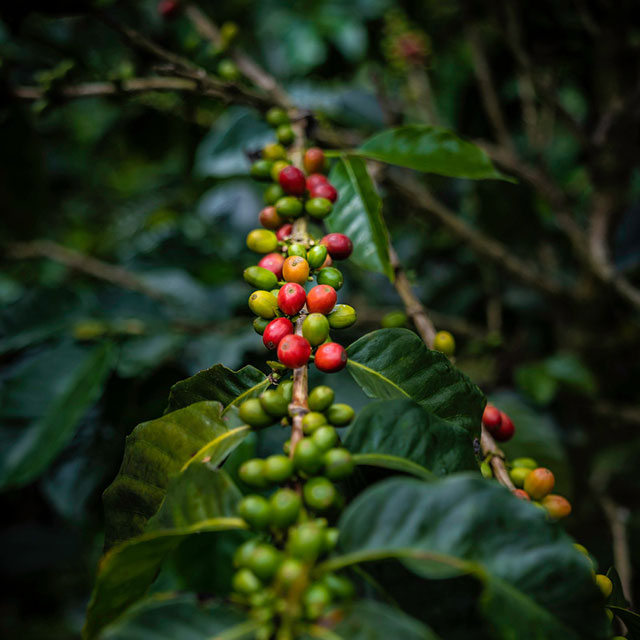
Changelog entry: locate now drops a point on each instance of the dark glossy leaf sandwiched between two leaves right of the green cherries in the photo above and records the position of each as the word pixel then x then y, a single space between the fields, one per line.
pixel 403 429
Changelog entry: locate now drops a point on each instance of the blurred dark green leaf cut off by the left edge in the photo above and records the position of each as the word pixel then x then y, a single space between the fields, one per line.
pixel 42 402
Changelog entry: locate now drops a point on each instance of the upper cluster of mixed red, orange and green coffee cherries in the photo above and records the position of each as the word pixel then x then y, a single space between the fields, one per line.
pixel 289 262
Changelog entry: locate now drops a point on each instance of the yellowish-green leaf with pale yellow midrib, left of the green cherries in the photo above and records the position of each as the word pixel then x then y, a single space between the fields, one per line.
pixel 157 449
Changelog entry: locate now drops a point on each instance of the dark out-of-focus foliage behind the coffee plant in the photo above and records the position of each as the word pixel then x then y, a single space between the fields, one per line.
pixel 156 184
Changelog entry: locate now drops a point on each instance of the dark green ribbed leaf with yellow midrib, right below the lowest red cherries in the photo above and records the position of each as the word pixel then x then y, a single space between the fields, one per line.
pixel 395 363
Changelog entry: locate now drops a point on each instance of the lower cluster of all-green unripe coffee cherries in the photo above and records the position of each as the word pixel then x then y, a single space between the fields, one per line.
pixel 277 574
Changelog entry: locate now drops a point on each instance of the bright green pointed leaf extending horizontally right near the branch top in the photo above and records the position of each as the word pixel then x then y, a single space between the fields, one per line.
pixel 431 150
